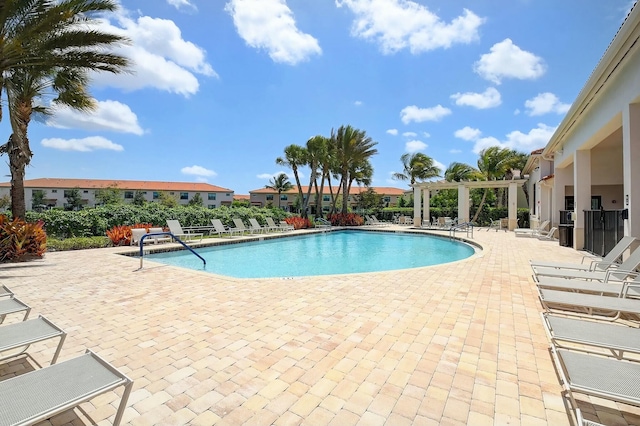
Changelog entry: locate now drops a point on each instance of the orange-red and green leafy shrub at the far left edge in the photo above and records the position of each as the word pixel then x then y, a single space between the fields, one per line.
pixel 20 240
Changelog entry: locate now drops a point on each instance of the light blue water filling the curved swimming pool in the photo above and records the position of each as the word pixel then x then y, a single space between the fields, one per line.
pixel 341 252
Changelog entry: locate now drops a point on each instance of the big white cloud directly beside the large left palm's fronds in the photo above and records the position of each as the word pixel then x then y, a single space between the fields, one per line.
pixel 160 57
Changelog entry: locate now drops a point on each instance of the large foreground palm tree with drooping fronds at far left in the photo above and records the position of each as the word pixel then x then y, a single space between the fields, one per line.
pixel 48 47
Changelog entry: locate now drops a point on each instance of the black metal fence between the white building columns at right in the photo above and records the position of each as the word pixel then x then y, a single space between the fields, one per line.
pixel 602 230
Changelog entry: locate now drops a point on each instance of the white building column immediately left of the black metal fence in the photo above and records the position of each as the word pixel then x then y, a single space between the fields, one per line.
pixel 581 194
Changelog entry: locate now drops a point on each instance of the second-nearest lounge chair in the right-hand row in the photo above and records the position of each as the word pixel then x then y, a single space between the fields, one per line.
pixel 584 335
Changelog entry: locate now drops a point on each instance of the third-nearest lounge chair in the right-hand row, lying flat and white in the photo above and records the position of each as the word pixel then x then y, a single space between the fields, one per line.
pixel 592 305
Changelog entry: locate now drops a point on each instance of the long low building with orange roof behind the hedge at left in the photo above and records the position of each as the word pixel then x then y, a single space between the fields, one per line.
pixel 56 191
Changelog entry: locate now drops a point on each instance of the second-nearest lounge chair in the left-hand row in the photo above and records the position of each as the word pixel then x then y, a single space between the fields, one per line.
pixel 16 338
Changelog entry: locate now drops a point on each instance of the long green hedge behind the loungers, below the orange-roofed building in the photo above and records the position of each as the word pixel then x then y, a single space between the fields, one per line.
pixel 96 221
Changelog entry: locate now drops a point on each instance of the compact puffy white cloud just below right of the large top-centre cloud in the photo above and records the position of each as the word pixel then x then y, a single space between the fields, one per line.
pixel 506 60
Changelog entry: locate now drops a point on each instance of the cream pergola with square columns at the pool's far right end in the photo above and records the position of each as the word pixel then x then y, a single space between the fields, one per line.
pixel 463 197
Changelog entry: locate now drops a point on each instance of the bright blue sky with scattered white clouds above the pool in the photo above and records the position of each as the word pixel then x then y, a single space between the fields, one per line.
pixel 217 89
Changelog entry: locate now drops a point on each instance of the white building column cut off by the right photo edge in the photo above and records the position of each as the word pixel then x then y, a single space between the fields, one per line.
pixel 631 171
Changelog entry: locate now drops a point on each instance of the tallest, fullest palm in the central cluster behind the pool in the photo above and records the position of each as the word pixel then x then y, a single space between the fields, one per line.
pixel 353 149
